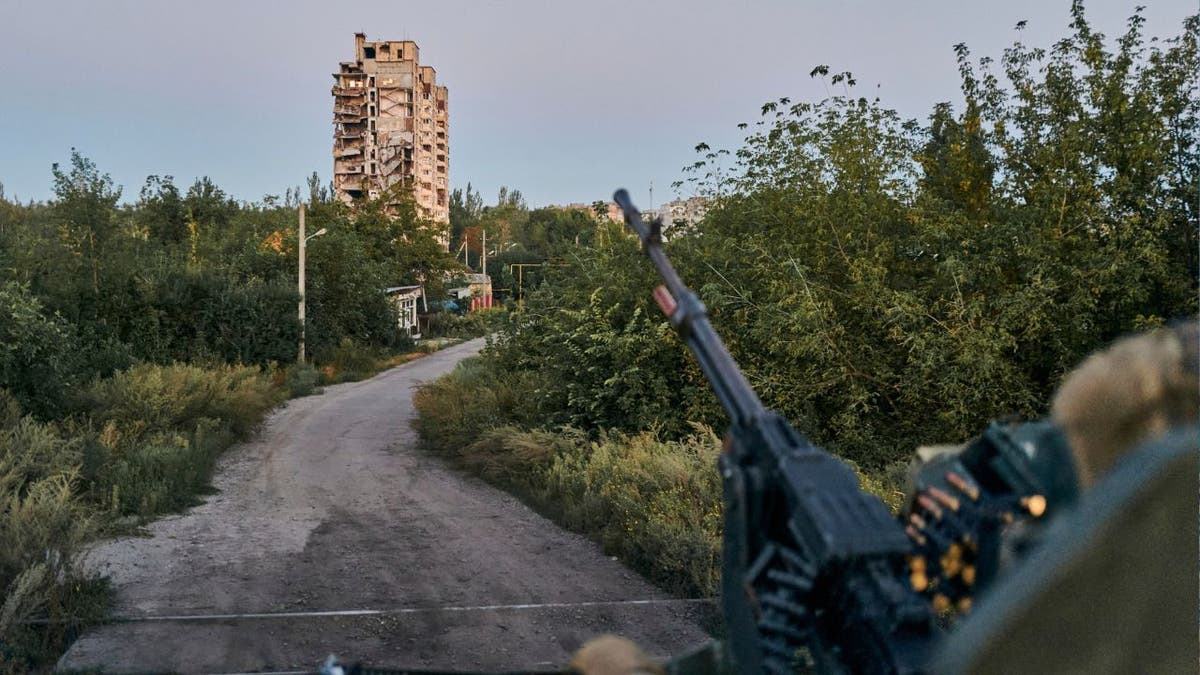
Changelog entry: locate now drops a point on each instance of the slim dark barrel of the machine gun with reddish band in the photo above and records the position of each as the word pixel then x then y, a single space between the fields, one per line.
pixel 691 320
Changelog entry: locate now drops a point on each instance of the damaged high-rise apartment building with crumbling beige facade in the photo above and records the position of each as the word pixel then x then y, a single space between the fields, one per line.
pixel 392 128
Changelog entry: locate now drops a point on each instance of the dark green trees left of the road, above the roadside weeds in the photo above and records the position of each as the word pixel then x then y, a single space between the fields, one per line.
pixel 89 286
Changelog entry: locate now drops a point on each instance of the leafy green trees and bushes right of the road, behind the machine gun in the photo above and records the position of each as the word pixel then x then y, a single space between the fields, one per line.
pixel 884 283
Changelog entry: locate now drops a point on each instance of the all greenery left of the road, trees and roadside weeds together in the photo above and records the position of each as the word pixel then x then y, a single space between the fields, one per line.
pixel 139 342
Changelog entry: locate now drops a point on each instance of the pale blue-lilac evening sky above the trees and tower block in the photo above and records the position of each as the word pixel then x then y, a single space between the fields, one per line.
pixel 561 99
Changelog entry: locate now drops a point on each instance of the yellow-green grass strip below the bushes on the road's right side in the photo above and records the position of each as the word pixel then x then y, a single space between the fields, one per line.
pixel 657 505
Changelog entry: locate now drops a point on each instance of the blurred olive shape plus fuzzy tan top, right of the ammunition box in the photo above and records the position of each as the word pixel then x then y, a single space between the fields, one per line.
pixel 1115 588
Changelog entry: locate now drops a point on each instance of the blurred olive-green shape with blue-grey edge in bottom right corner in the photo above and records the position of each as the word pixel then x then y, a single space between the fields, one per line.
pixel 1114 587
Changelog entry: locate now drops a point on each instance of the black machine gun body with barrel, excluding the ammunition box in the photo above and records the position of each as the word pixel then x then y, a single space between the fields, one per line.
pixel 809 559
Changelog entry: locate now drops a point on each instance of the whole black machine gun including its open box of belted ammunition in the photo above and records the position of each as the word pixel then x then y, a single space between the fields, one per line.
pixel 812 561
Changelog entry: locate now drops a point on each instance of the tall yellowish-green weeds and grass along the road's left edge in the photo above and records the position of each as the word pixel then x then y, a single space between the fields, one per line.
pixel 139 444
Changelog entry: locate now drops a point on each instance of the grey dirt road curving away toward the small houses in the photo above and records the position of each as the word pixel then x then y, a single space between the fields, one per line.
pixel 339 537
